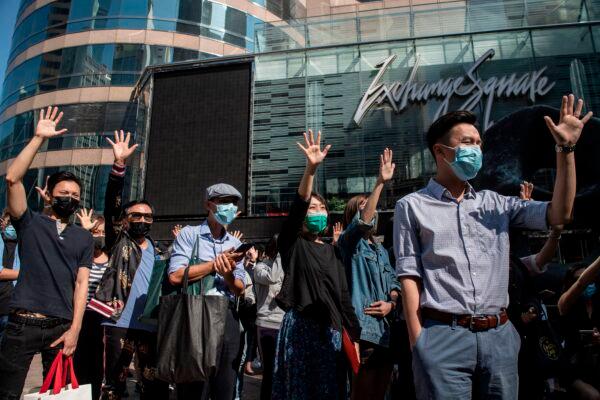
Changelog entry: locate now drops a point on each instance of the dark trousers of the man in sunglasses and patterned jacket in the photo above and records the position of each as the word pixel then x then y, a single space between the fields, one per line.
pixel 119 348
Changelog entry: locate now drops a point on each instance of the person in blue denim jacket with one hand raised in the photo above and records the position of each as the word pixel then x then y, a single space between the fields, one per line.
pixel 374 286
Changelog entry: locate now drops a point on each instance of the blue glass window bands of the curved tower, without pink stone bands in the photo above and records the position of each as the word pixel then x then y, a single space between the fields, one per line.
pixel 102 65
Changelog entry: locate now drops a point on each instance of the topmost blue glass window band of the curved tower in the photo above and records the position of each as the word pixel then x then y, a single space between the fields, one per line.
pixel 205 18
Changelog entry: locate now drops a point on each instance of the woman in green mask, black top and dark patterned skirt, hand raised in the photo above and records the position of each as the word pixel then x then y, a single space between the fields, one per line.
pixel 314 295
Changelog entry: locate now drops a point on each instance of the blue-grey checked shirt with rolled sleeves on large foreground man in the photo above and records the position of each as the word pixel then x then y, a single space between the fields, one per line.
pixel 460 251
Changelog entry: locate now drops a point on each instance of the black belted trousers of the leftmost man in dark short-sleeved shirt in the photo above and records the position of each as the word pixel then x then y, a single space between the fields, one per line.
pixel 20 343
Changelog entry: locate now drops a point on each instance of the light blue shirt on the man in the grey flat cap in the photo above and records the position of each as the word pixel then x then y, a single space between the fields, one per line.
pixel 208 248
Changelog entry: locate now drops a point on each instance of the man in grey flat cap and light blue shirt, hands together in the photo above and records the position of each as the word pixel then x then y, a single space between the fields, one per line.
pixel 217 257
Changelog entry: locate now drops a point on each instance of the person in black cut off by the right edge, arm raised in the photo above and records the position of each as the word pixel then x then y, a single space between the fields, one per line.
pixel 579 308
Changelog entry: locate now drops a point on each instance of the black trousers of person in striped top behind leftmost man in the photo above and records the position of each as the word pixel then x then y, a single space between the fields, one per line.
pixel 89 356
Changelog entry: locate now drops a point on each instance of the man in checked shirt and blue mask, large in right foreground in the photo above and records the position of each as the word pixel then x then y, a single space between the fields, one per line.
pixel 452 257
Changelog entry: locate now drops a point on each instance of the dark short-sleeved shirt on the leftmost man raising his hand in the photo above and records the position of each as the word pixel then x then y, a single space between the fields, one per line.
pixel 49 264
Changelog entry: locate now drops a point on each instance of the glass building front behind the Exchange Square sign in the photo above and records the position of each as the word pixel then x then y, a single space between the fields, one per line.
pixel 505 55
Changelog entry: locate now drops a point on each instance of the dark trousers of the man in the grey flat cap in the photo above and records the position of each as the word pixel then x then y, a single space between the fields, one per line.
pixel 222 385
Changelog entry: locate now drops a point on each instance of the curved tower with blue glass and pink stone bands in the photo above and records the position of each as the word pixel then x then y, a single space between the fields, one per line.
pixel 85 57
